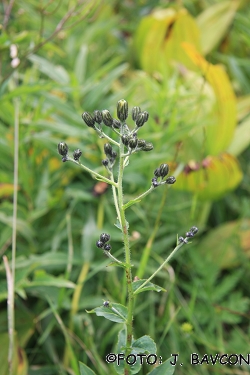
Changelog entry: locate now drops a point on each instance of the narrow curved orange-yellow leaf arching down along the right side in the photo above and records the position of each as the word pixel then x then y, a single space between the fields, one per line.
pixel 220 132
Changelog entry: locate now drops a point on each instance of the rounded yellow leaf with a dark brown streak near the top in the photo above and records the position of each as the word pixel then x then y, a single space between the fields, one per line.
pixel 159 36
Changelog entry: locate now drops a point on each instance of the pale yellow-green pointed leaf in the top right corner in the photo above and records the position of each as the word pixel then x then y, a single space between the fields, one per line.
pixel 214 23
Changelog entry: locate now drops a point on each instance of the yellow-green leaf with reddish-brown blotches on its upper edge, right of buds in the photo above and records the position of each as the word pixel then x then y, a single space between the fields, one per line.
pixel 211 178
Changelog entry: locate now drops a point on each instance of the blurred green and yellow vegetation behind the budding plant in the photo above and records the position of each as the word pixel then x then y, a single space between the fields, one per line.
pixel 187 64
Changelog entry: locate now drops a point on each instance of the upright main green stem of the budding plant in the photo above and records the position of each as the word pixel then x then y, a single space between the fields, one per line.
pixel 130 306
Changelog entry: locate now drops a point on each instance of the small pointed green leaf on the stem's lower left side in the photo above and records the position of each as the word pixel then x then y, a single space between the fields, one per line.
pixel 115 312
